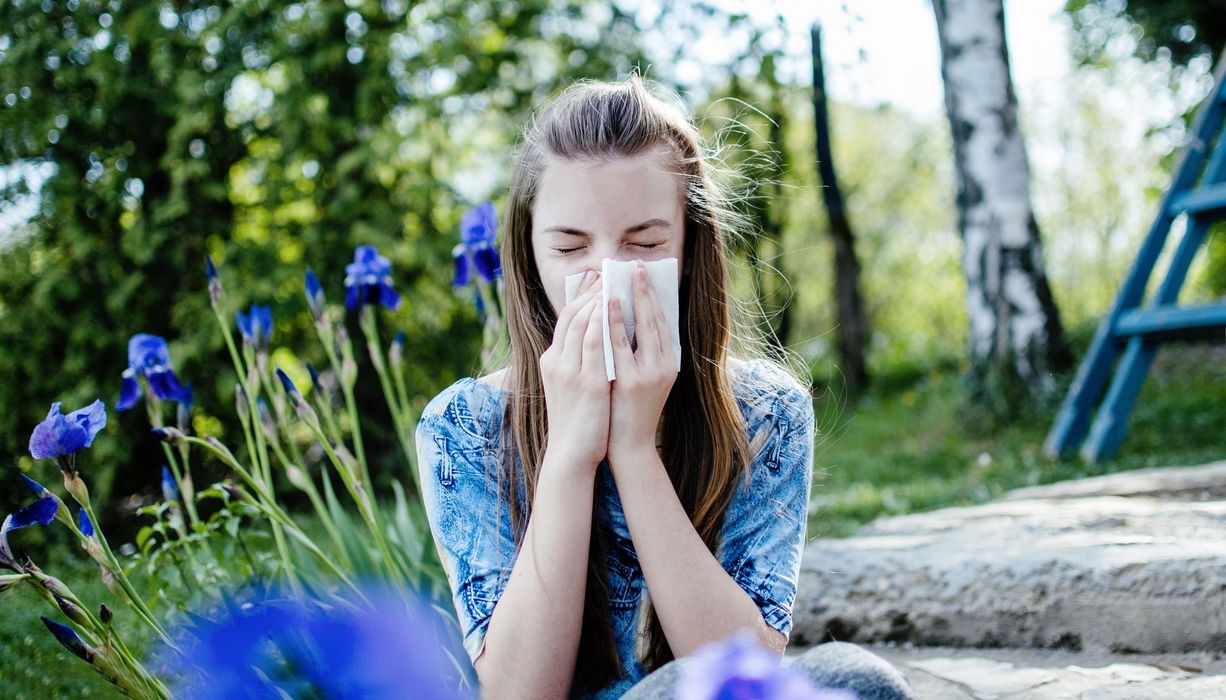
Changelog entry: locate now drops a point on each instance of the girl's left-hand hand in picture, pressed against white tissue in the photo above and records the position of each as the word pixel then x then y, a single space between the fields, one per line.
pixel 577 388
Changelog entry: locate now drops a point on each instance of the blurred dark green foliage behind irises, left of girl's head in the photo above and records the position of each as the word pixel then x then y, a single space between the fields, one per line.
pixel 274 138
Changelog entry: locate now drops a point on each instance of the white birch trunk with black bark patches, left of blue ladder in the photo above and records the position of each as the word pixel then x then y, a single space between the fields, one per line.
pixel 1016 334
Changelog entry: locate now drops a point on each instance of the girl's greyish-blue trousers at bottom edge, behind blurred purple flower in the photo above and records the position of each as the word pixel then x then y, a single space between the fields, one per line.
pixel 834 665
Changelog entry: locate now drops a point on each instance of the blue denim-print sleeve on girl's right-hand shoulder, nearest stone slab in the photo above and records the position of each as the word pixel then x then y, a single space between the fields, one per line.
pixel 766 523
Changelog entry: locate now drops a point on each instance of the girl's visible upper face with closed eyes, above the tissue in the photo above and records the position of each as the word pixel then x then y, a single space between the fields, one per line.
pixel 585 211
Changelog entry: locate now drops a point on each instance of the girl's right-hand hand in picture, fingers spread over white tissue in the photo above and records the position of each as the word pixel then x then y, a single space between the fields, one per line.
pixel 645 376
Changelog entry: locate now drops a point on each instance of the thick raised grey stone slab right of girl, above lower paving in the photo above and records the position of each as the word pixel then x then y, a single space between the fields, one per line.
pixel 1102 573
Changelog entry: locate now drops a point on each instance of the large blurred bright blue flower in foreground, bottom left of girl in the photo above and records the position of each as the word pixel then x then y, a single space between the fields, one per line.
pixel 343 649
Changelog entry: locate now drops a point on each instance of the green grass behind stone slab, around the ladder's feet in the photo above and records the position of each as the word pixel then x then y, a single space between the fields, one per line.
pixel 910 444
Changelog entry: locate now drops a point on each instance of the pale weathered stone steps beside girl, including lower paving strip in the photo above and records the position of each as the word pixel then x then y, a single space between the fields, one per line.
pixel 1104 589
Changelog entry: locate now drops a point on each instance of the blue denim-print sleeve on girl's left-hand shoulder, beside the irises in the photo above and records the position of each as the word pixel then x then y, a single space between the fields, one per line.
pixel 470 524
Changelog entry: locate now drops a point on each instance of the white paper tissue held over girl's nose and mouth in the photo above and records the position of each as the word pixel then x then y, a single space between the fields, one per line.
pixel 616 279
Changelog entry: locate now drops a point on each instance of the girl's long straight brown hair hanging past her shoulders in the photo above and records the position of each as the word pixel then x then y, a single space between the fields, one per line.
pixel 706 448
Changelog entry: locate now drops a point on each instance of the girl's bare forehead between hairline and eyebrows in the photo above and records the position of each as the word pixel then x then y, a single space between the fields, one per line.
pixel 598 196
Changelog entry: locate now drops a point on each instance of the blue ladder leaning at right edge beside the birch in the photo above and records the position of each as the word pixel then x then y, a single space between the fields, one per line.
pixel 1132 333
